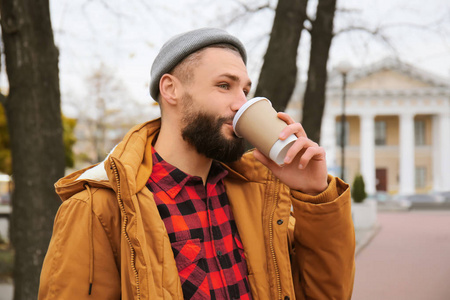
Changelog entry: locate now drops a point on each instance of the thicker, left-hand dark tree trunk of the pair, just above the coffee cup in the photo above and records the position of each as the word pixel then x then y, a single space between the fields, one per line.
pixel 279 72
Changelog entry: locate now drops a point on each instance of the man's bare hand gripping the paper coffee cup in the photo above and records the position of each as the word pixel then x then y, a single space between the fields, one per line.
pixel 304 167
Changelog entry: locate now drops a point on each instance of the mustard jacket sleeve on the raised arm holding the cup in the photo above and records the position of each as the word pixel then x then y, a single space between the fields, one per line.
pixel 323 263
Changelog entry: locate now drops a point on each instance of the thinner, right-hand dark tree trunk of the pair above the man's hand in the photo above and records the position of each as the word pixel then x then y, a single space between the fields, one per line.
pixel 314 99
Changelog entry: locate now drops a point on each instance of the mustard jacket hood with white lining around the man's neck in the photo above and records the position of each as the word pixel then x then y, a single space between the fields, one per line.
pixel 135 167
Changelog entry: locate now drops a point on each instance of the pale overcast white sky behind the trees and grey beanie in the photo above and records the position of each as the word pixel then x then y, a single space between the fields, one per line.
pixel 124 37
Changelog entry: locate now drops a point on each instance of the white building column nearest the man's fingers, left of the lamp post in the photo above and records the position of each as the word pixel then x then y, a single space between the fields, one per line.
pixel 328 142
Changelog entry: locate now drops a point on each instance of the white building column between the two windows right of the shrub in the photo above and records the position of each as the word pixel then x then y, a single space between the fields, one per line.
pixel 407 163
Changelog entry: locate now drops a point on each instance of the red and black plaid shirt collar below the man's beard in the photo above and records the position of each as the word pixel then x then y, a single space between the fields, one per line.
pixel 172 180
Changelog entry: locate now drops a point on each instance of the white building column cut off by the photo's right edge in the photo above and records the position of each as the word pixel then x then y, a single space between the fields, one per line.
pixel 441 150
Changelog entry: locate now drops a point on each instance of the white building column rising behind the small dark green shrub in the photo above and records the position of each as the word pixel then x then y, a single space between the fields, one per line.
pixel 367 152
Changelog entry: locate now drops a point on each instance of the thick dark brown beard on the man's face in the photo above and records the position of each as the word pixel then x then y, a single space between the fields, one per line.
pixel 204 132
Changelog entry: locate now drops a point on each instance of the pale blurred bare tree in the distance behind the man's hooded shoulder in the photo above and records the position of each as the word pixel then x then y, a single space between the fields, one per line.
pixel 104 114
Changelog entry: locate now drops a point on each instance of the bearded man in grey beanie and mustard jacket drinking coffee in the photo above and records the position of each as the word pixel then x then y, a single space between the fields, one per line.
pixel 176 211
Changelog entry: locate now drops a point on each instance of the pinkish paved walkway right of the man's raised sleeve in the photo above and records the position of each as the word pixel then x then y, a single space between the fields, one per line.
pixel 409 258
